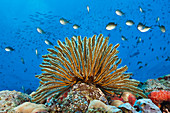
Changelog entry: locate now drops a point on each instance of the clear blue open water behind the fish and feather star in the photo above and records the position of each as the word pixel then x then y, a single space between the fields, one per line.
pixel 19 20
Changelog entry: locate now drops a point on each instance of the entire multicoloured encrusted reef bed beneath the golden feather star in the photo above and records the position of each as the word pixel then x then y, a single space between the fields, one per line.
pixel 85 98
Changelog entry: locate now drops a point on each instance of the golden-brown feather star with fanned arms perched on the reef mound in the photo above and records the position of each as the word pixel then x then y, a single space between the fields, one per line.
pixel 91 61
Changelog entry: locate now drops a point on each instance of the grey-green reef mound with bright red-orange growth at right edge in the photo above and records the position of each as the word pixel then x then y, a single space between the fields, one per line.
pixel 158 90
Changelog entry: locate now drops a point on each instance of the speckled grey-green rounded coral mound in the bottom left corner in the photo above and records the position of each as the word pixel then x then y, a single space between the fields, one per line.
pixel 11 99
